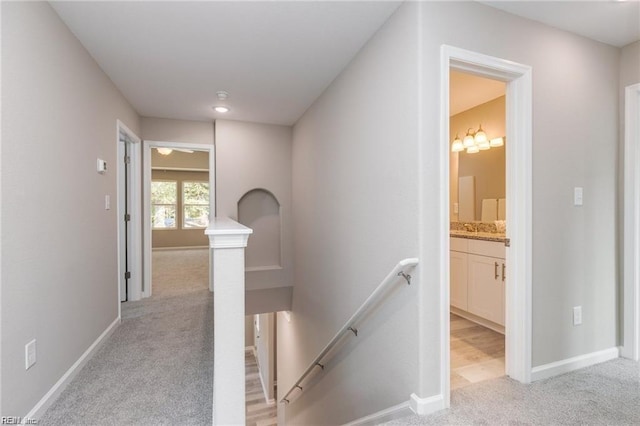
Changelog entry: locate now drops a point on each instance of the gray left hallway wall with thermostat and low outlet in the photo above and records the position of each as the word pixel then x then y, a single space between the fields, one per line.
pixel 59 252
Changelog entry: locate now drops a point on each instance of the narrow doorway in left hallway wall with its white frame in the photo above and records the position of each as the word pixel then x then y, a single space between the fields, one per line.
pixel 129 215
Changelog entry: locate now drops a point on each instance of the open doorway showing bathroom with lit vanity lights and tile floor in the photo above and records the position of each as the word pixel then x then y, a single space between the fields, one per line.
pixel 478 228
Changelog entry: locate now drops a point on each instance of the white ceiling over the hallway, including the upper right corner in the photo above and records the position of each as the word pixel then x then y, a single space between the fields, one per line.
pixel 274 58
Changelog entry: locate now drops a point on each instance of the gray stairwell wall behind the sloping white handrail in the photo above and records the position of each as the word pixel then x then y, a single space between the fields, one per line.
pixel 355 187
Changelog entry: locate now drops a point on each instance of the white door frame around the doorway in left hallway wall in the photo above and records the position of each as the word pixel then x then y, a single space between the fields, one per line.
pixel 135 224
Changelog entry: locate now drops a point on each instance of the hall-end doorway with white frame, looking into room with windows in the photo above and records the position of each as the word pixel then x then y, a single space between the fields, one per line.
pixel 180 200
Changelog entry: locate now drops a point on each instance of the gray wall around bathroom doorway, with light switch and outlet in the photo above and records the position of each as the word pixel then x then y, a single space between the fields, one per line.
pixel 575 84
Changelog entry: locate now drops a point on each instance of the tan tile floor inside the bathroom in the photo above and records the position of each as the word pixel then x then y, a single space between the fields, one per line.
pixel 477 353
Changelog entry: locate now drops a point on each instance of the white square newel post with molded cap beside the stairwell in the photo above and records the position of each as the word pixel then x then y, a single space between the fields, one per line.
pixel 227 241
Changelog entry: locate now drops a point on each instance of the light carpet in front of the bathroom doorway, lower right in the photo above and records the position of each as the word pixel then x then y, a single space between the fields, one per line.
pixel 604 394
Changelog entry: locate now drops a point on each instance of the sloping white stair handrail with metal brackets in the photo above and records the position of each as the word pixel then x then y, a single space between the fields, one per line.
pixel 349 326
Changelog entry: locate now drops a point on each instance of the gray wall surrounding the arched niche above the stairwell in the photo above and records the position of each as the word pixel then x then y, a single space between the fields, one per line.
pixel 256 156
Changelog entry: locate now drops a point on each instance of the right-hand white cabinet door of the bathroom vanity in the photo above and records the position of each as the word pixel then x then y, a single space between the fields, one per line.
pixel 486 287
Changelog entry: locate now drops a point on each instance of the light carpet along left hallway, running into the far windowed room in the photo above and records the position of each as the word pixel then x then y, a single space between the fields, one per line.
pixel 157 367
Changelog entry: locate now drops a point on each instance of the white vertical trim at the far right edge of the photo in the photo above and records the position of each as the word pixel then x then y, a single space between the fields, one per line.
pixel 631 291
